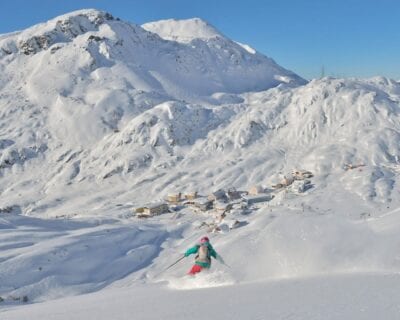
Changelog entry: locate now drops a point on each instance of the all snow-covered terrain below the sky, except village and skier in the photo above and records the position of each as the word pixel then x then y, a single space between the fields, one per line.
pixel 99 116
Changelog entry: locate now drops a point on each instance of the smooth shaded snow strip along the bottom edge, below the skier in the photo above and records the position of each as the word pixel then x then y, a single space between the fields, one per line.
pixel 332 298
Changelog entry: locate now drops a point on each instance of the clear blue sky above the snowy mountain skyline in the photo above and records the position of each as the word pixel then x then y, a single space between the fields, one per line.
pixel 345 38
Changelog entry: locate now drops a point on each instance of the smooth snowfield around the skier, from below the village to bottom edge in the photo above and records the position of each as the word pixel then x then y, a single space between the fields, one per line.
pixel 342 267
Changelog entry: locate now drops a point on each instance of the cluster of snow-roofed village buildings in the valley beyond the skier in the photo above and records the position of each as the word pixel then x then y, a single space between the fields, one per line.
pixel 222 202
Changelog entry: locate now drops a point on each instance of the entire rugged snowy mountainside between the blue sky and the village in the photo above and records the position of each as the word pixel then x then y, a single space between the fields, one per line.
pixel 124 110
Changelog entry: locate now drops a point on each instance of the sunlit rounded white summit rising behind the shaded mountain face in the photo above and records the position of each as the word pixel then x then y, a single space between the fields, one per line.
pixel 183 30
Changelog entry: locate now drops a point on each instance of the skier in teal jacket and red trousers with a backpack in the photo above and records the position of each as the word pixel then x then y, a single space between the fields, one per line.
pixel 204 251
